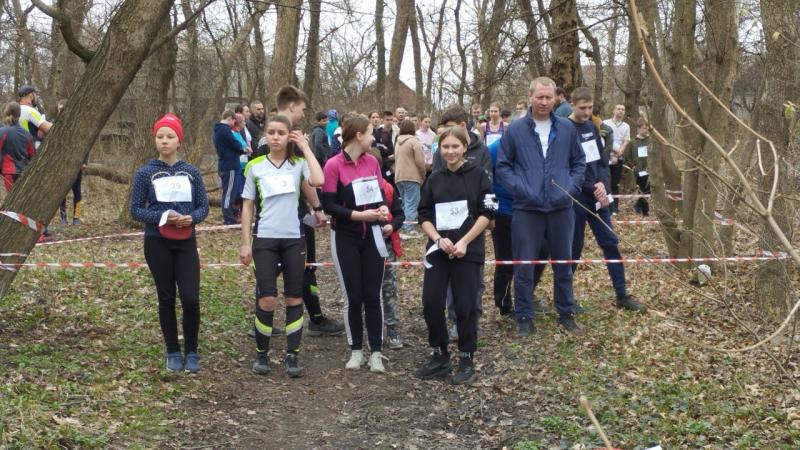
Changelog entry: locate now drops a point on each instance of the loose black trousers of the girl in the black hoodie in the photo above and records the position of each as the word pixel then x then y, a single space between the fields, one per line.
pixel 464 277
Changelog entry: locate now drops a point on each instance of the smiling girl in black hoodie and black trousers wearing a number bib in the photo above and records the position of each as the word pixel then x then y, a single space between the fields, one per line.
pixel 457 205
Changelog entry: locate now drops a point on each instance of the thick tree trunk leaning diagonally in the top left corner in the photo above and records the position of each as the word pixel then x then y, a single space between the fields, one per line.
pixel 45 182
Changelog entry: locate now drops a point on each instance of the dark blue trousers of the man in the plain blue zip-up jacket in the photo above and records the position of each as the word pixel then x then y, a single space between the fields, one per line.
pixel 529 229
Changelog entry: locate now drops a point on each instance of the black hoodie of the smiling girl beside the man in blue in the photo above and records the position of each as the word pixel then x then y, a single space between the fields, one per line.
pixel 469 183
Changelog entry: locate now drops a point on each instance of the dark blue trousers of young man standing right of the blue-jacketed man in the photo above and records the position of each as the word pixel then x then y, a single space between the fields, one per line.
pixel 605 237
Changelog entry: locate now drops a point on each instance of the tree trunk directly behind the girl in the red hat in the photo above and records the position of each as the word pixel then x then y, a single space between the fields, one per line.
pixel 159 70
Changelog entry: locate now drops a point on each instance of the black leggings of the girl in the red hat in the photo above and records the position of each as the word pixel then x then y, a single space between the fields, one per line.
pixel 176 262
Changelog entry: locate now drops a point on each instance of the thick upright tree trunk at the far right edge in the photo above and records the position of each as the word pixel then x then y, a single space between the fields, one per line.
pixel 773 279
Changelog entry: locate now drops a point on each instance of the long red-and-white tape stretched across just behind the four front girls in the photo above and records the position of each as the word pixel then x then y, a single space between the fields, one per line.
pixel 763 256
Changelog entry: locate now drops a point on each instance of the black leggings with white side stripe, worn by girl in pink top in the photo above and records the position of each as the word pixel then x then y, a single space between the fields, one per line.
pixel 360 270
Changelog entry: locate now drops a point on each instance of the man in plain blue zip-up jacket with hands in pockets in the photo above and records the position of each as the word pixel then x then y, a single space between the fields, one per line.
pixel 542 164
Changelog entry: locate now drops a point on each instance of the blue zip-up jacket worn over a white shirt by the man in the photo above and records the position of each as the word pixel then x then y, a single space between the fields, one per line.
pixel 529 176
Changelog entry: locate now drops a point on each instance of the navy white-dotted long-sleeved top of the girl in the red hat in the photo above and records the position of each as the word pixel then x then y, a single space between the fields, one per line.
pixel 147 209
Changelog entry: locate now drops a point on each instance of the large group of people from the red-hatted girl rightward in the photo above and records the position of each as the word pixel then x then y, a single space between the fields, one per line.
pixel 534 181
